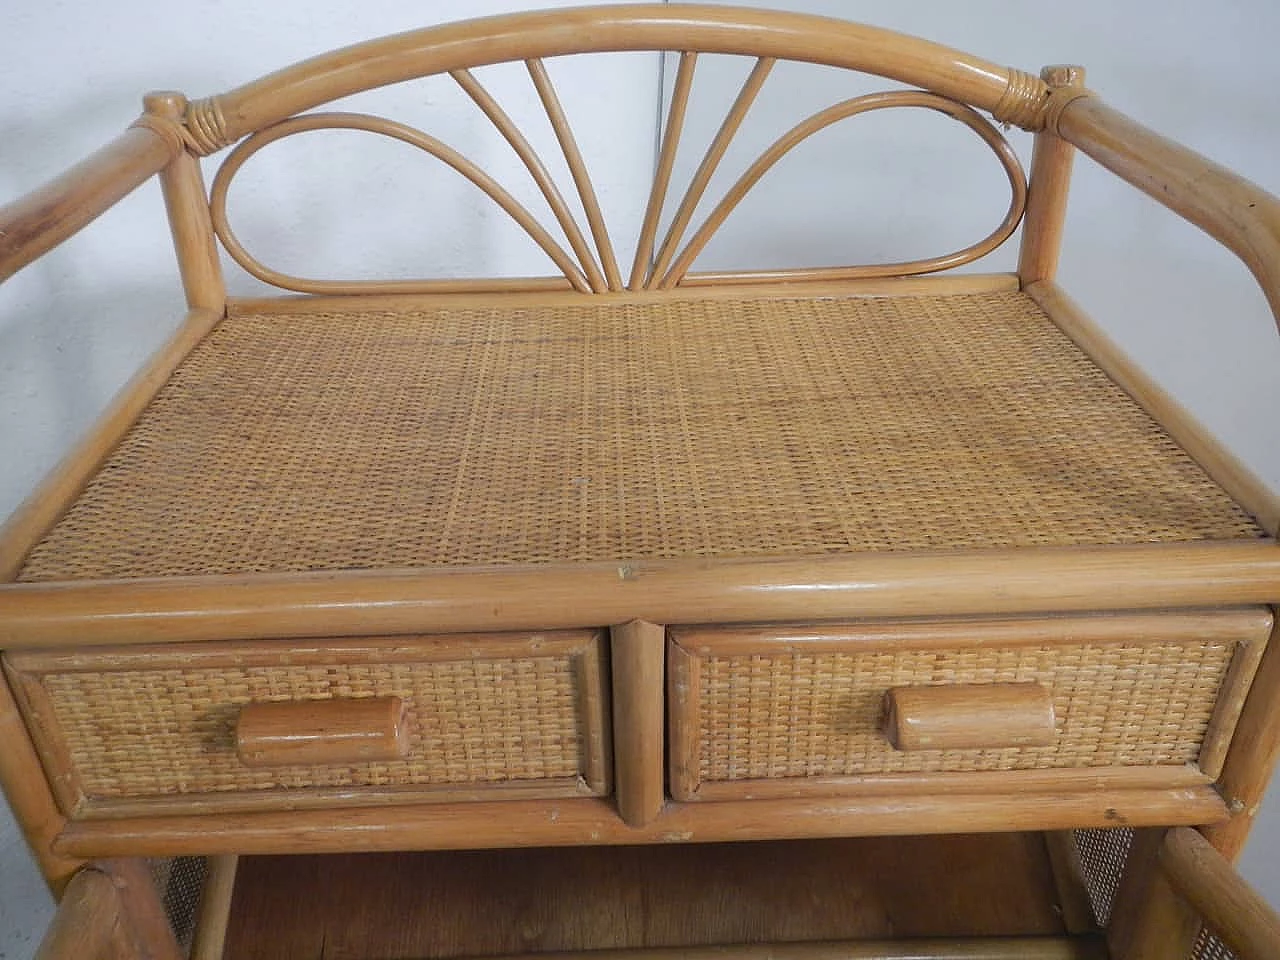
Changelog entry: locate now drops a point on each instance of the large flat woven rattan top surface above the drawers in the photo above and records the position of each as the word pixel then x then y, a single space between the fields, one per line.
pixel 627 432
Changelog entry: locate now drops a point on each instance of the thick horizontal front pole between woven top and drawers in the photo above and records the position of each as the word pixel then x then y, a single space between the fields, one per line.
pixel 957 583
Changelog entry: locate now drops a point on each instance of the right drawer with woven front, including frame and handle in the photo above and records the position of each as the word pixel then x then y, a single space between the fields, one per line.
pixel 1077 702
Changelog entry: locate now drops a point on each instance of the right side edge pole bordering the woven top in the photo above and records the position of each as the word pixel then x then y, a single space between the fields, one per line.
pixel 1220 464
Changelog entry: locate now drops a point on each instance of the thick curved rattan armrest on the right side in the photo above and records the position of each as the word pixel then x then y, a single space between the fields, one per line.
pixel 1240 214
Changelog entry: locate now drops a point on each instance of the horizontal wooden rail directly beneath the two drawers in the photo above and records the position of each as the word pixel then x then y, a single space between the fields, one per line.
pixel 587 821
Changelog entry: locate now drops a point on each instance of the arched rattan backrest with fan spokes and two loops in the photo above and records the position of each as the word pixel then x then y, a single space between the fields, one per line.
pixel 671 237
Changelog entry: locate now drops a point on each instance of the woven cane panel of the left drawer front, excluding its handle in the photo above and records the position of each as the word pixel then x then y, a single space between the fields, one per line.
pixel 149 733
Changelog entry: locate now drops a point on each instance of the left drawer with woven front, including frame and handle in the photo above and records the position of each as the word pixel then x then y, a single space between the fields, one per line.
pixel 281 725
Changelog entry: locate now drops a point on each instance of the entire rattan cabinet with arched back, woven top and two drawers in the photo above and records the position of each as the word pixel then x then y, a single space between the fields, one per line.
pixel 638 572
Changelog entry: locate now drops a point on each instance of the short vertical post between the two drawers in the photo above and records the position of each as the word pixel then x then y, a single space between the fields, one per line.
pixel 638 651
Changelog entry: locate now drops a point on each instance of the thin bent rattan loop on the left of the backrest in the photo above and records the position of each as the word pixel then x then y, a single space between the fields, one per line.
pixel 387 129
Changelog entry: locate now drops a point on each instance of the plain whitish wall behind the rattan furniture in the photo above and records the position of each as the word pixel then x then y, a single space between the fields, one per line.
pixel 75 326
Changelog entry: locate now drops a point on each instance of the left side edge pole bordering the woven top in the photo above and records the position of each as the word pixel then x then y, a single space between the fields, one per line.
pixel 40 511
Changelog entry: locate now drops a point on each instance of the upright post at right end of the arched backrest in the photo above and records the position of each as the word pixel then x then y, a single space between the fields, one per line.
pixel 1046 200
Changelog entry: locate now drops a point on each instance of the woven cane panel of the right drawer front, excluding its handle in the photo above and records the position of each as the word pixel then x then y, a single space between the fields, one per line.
pixel 810 716
